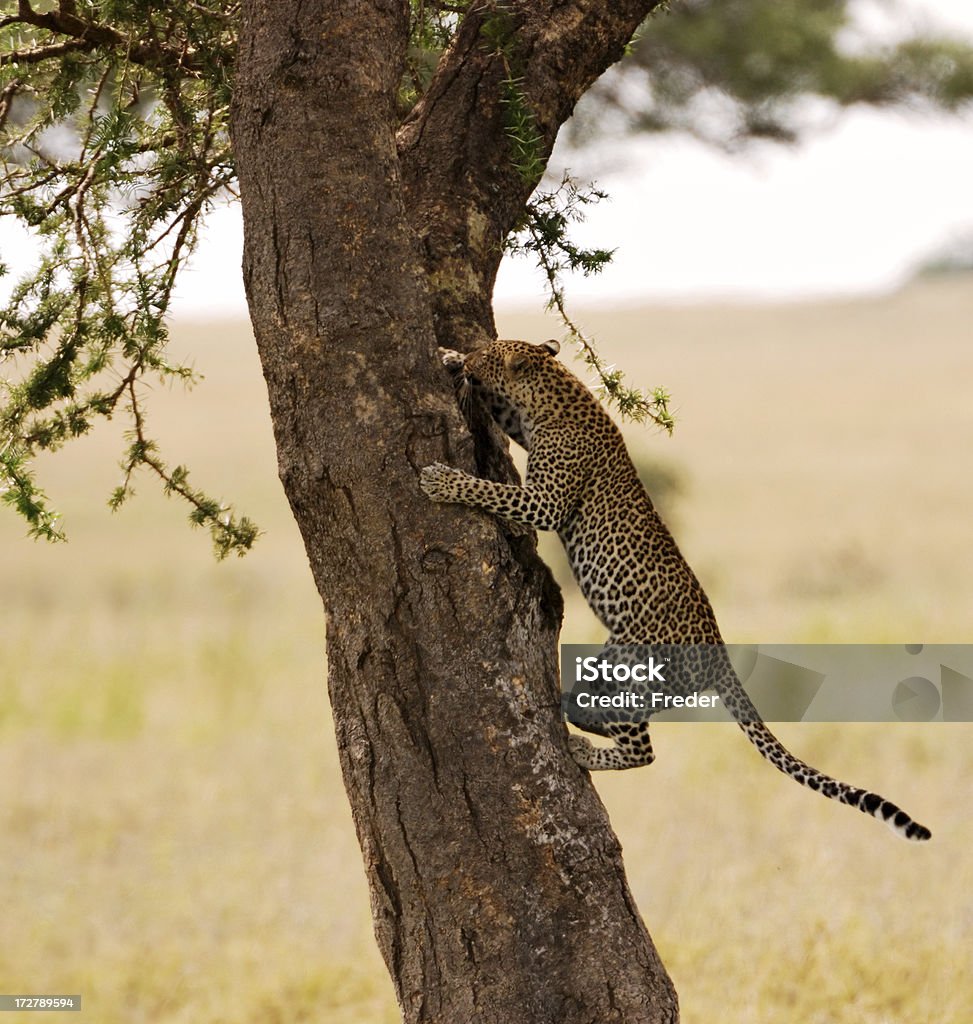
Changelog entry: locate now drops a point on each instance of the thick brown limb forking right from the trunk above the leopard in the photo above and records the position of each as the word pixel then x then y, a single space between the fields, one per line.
pixel 466 187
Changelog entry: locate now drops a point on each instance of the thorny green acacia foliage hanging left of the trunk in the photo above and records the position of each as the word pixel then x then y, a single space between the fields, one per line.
pixel 114 145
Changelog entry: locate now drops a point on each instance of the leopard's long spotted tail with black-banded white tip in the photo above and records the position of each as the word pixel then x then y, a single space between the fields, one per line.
pixel 742 708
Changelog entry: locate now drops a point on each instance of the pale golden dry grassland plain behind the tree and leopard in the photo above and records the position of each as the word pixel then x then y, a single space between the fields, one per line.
pixel 174 833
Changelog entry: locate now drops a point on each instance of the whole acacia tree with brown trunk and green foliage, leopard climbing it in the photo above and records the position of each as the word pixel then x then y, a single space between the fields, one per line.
pixel 385 154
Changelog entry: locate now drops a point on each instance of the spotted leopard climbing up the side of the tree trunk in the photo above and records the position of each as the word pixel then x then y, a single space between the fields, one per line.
pixel 582 484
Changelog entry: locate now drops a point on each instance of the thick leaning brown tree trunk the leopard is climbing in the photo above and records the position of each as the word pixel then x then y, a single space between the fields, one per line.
pixel 498 892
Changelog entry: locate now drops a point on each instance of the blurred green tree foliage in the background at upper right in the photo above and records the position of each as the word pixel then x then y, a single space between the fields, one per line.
pixel 732 71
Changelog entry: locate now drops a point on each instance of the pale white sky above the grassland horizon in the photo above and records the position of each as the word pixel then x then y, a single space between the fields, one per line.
pixel 853 210
